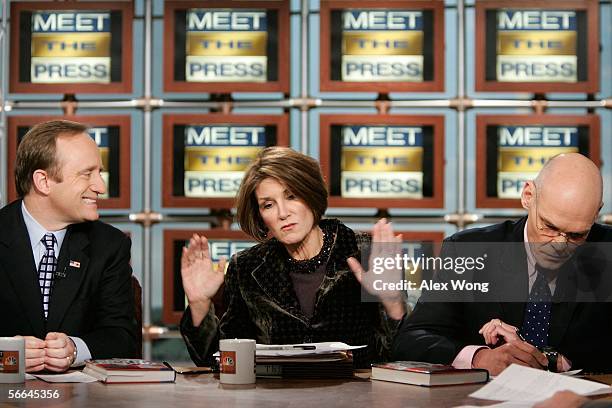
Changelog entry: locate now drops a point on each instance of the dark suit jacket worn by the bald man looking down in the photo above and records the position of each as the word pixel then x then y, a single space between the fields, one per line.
pixel 438 329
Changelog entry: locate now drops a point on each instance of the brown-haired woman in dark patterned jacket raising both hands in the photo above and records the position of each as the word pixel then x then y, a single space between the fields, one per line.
pixel 296 285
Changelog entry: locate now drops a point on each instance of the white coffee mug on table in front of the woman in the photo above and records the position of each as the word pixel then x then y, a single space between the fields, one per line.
pixel 237 361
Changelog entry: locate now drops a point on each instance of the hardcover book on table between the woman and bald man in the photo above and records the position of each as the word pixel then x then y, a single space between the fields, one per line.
pixel 427 374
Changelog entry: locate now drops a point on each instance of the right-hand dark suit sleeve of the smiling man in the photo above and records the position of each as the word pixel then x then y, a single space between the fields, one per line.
pixel 113 333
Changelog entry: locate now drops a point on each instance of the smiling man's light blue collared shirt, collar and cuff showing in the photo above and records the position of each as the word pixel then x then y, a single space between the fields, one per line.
pixel 36 232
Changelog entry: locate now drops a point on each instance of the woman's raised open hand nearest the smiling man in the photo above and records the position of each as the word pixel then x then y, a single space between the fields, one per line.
pixel 201 280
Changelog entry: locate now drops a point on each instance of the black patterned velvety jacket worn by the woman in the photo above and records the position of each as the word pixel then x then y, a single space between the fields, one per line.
pixel 262 305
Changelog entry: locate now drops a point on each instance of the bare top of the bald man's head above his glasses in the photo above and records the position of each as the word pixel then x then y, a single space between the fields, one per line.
pixel 571 180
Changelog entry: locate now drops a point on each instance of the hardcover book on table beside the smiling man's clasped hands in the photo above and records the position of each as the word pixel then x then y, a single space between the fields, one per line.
pixel 119 370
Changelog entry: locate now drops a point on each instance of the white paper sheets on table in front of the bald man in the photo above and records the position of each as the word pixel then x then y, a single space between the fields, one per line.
pixel 518 383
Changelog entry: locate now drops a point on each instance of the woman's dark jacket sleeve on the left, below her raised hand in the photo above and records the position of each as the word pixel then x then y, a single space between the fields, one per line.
pixel 203 341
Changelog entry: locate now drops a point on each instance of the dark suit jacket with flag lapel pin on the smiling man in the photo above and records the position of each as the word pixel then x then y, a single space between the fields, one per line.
pixel 93 301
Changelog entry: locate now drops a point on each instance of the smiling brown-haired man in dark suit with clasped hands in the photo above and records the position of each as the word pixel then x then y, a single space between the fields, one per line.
pixel 66 278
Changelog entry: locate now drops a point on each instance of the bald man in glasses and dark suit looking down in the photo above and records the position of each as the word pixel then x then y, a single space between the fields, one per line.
pixel 547 292
